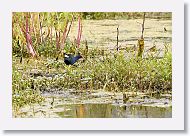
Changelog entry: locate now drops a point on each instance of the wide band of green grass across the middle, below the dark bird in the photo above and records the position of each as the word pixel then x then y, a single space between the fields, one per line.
pixel 113 72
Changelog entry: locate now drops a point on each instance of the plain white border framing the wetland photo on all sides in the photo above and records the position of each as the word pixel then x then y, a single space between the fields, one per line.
pixel 174 123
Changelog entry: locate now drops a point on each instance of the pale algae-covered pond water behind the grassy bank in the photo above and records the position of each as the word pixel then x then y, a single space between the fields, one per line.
pixel 102 33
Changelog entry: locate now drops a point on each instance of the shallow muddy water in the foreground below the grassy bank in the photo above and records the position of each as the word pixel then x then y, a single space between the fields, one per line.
pixel 98 104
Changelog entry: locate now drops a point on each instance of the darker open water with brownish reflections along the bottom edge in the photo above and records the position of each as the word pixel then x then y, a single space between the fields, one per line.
pixel 114 111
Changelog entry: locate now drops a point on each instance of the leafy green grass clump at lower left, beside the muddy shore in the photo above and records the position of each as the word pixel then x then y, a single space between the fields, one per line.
pixel 23 91
